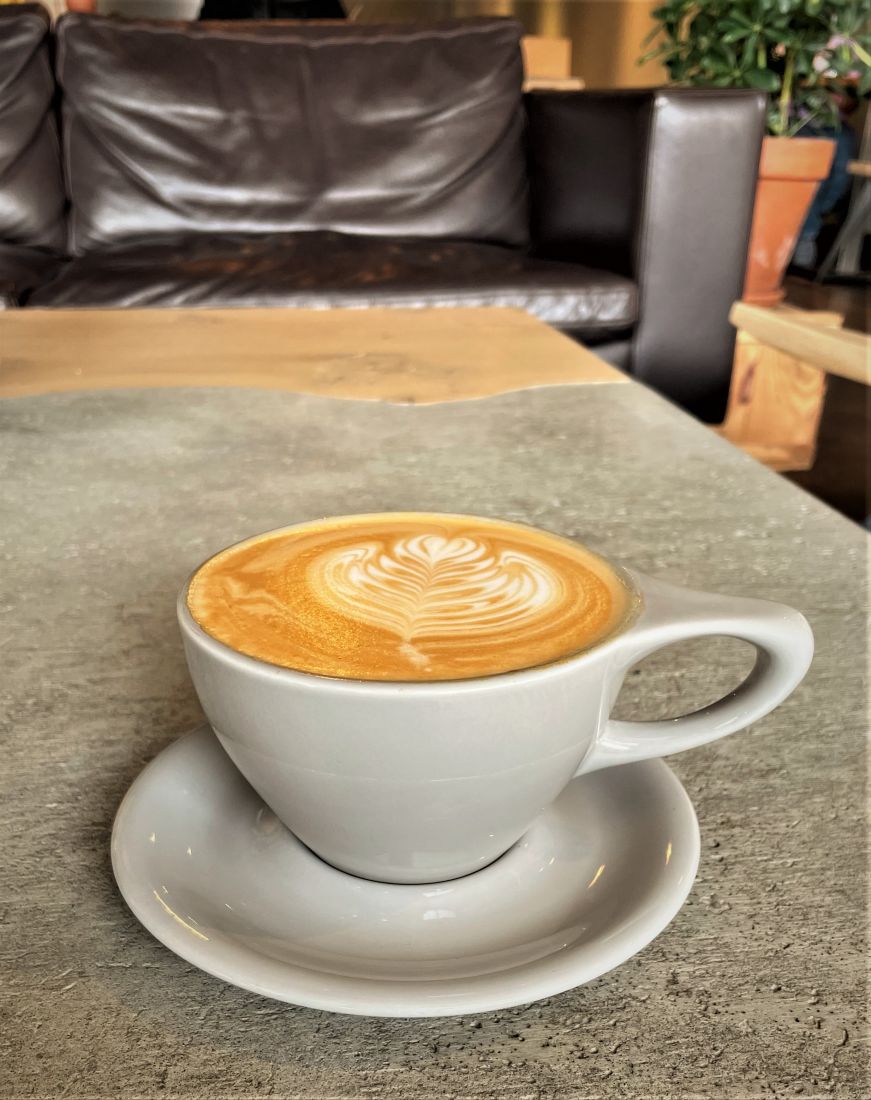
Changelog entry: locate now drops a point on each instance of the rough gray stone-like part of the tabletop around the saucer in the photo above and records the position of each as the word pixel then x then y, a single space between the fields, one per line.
pixel 109 500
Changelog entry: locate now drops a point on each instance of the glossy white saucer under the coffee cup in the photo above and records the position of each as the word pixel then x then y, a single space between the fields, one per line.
pixel 215 876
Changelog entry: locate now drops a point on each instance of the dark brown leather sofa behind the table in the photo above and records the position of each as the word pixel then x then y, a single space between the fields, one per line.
pixel 305 166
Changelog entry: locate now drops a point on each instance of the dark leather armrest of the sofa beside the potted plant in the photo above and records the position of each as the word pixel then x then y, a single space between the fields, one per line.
pixel 657 185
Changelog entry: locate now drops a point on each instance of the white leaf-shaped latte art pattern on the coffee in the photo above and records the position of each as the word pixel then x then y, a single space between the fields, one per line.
pixel 429 586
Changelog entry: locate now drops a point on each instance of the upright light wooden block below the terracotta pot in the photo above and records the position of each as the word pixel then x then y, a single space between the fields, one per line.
pixel 776 399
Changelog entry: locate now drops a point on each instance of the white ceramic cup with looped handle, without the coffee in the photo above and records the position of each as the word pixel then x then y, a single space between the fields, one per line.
pixel 421 783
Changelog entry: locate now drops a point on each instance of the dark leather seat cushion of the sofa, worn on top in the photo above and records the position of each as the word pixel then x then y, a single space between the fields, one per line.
pixel 324 270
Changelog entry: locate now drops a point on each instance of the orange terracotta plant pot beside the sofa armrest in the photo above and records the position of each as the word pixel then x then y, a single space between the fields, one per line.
pixel 790 172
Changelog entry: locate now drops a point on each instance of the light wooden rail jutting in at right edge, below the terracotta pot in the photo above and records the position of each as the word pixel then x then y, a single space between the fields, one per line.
pixel 808 338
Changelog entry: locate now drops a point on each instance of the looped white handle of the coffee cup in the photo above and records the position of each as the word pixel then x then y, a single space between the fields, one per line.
pixel 785 648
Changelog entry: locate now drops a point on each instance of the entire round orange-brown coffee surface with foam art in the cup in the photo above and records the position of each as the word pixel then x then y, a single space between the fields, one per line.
pixel 409 597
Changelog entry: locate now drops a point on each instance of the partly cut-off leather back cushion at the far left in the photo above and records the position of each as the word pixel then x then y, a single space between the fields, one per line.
pixel 31 182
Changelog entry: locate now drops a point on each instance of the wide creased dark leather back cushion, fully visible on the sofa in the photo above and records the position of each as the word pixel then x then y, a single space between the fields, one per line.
pixel 393 130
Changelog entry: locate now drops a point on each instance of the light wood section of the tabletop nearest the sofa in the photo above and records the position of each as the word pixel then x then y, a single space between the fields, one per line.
pixel 415 357
